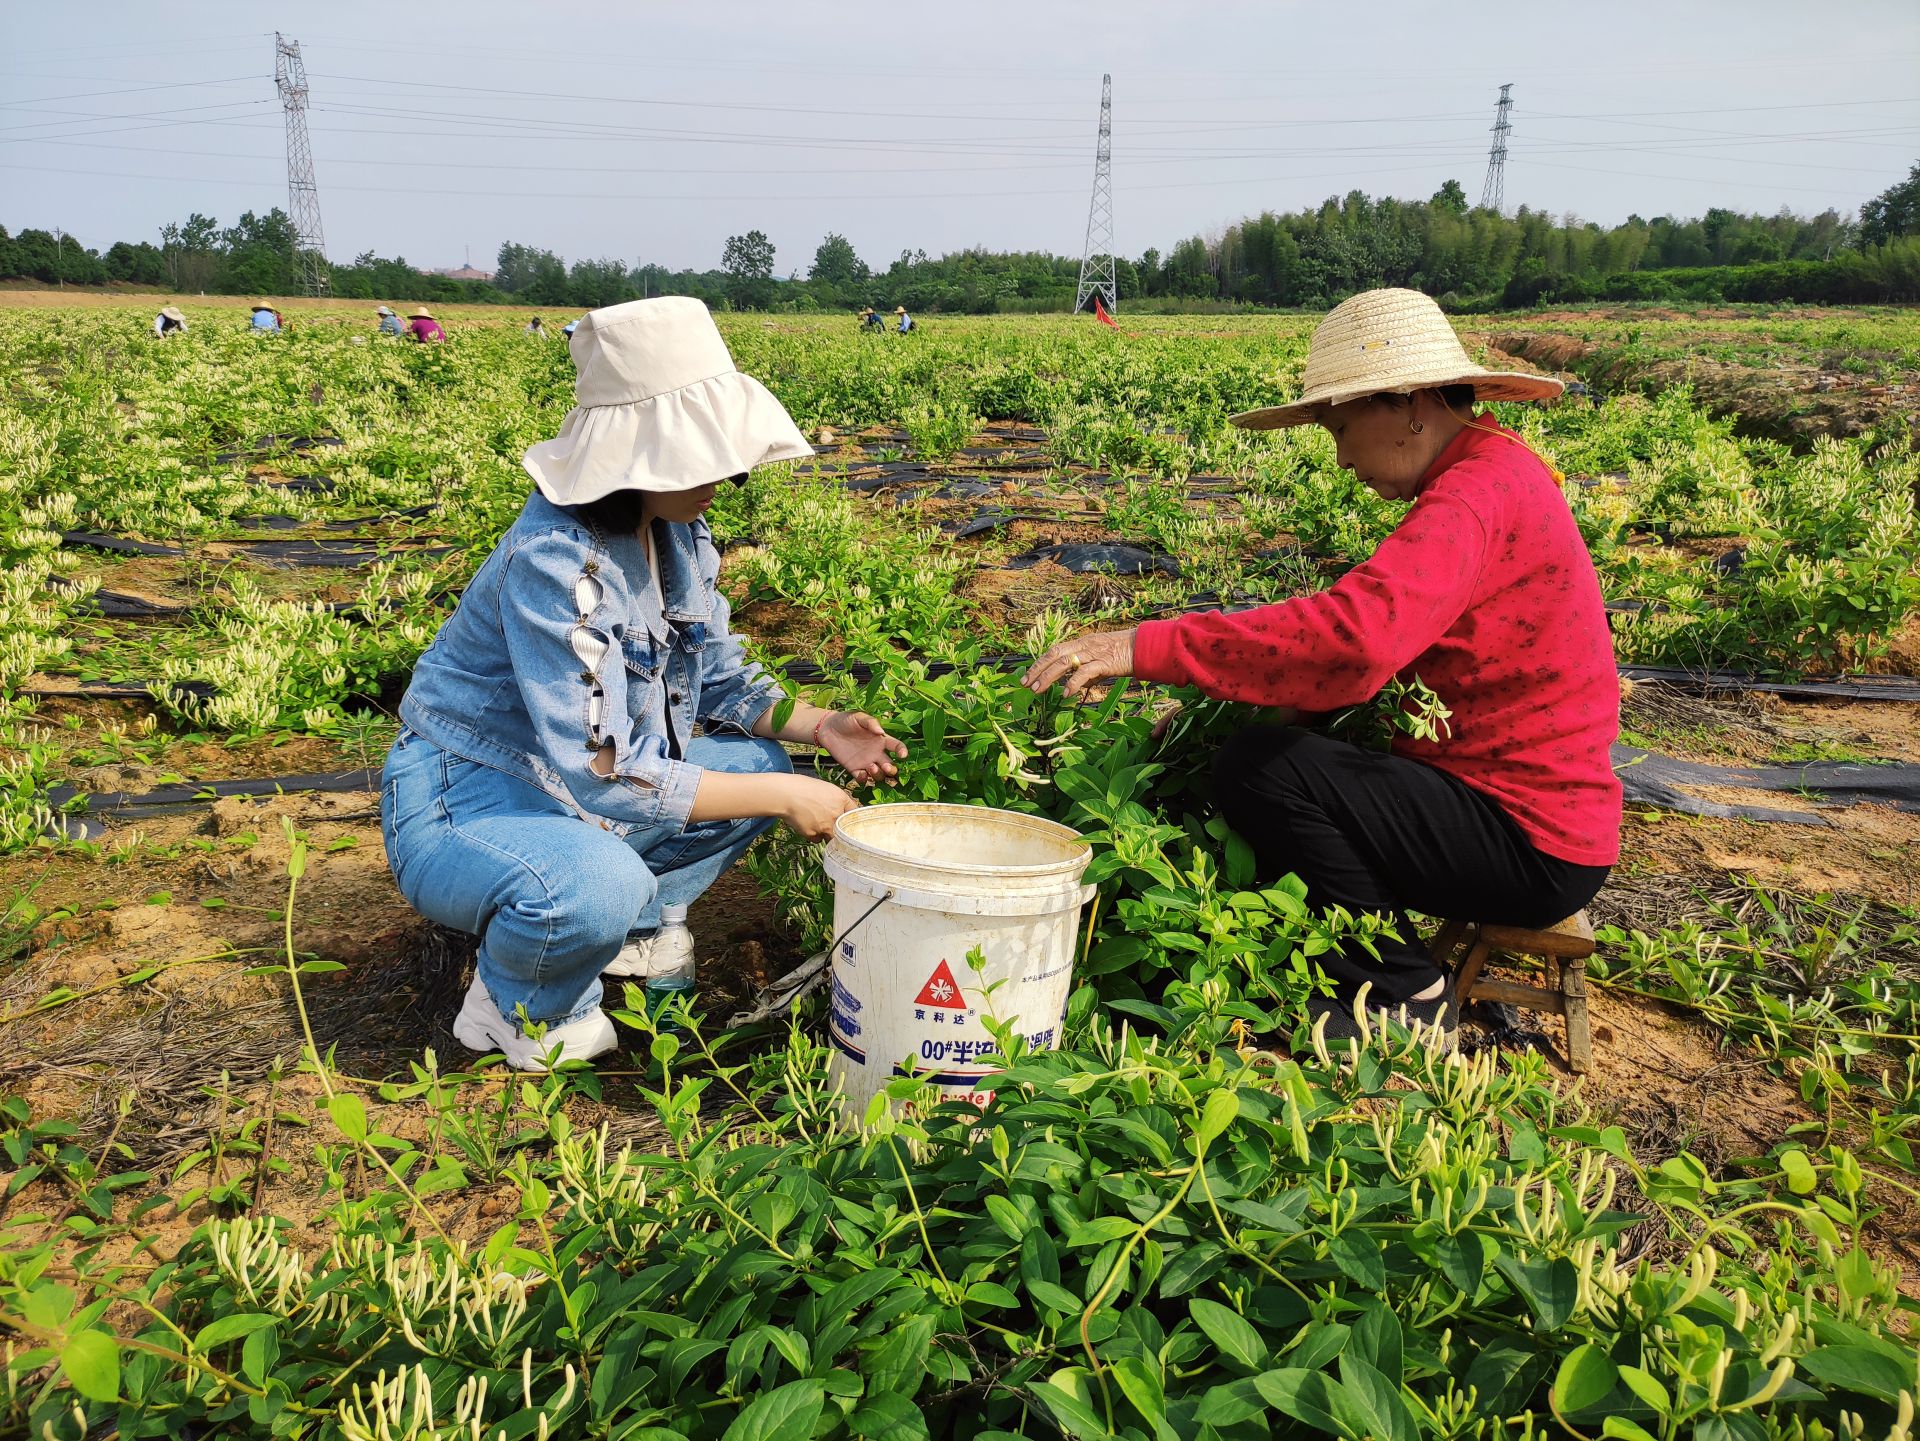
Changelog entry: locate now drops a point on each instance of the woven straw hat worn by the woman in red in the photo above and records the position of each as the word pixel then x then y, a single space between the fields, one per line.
pixel 1391 343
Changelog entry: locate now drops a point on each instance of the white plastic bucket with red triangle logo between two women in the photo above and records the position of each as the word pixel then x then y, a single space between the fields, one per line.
pixel 940 884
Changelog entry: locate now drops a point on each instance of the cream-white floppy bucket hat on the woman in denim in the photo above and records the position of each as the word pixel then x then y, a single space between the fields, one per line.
pixel 660 408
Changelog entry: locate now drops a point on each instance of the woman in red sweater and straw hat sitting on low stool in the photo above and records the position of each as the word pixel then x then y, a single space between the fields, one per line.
pixel 1485 592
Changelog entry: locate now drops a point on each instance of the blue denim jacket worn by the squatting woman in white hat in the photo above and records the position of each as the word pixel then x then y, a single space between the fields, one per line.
pixel 560 648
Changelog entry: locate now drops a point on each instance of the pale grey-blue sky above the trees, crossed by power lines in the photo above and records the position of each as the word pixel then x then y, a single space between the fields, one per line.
pixel 652 133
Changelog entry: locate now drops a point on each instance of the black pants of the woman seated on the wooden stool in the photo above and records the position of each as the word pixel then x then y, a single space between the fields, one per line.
pixel 1381 834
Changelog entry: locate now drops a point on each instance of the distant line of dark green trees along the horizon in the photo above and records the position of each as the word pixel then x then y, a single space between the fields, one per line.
pixel 1466 256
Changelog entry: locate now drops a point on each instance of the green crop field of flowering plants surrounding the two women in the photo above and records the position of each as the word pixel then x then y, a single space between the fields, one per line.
pixel 256 1189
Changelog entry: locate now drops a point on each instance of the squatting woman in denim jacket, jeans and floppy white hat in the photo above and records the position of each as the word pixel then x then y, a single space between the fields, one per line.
pixel 585 745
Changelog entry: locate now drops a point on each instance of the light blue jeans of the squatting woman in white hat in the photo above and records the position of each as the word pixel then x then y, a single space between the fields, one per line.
pixel 550 895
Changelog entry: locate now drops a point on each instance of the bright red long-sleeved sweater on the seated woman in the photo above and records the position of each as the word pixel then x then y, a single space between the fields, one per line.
pixel 1489 596
